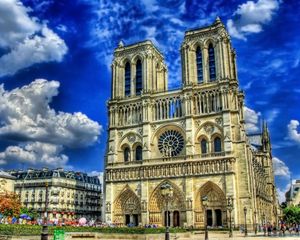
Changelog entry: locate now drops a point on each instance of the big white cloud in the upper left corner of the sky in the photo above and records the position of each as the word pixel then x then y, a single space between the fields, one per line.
pixel 25 40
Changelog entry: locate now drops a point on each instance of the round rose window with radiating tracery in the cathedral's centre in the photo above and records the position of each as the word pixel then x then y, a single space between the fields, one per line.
pixel 170 143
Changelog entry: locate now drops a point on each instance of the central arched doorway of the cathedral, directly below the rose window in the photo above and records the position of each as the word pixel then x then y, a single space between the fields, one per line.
pixel 157 207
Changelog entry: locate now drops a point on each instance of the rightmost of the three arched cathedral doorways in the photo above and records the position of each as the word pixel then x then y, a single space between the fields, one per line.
pixel 216 206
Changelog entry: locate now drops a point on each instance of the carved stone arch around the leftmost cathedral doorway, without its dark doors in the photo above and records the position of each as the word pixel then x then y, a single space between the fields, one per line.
pixel 127 203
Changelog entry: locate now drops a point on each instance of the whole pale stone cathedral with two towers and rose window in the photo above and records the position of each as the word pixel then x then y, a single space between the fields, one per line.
pixel 193 138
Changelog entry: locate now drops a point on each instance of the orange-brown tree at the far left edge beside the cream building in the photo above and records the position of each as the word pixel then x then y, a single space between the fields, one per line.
pixel 10 204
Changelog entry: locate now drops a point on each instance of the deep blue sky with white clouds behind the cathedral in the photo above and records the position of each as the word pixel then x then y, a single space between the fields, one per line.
pixel 55 61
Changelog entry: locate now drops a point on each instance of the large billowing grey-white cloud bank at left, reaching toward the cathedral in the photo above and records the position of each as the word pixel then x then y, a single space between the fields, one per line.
pixel 26 117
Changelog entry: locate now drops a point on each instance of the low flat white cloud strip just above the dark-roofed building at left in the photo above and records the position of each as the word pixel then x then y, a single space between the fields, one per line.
pixel 36 153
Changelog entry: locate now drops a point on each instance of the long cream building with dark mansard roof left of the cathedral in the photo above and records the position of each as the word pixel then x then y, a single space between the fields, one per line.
pixel 71 195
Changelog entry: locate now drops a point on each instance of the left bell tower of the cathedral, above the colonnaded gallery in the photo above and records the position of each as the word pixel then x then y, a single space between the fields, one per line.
pixel 137 68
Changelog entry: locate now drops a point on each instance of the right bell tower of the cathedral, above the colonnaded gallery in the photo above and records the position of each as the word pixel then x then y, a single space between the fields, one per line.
pixel 207 55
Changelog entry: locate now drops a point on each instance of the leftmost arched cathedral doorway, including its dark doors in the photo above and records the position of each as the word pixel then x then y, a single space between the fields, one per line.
pixel 127 208
